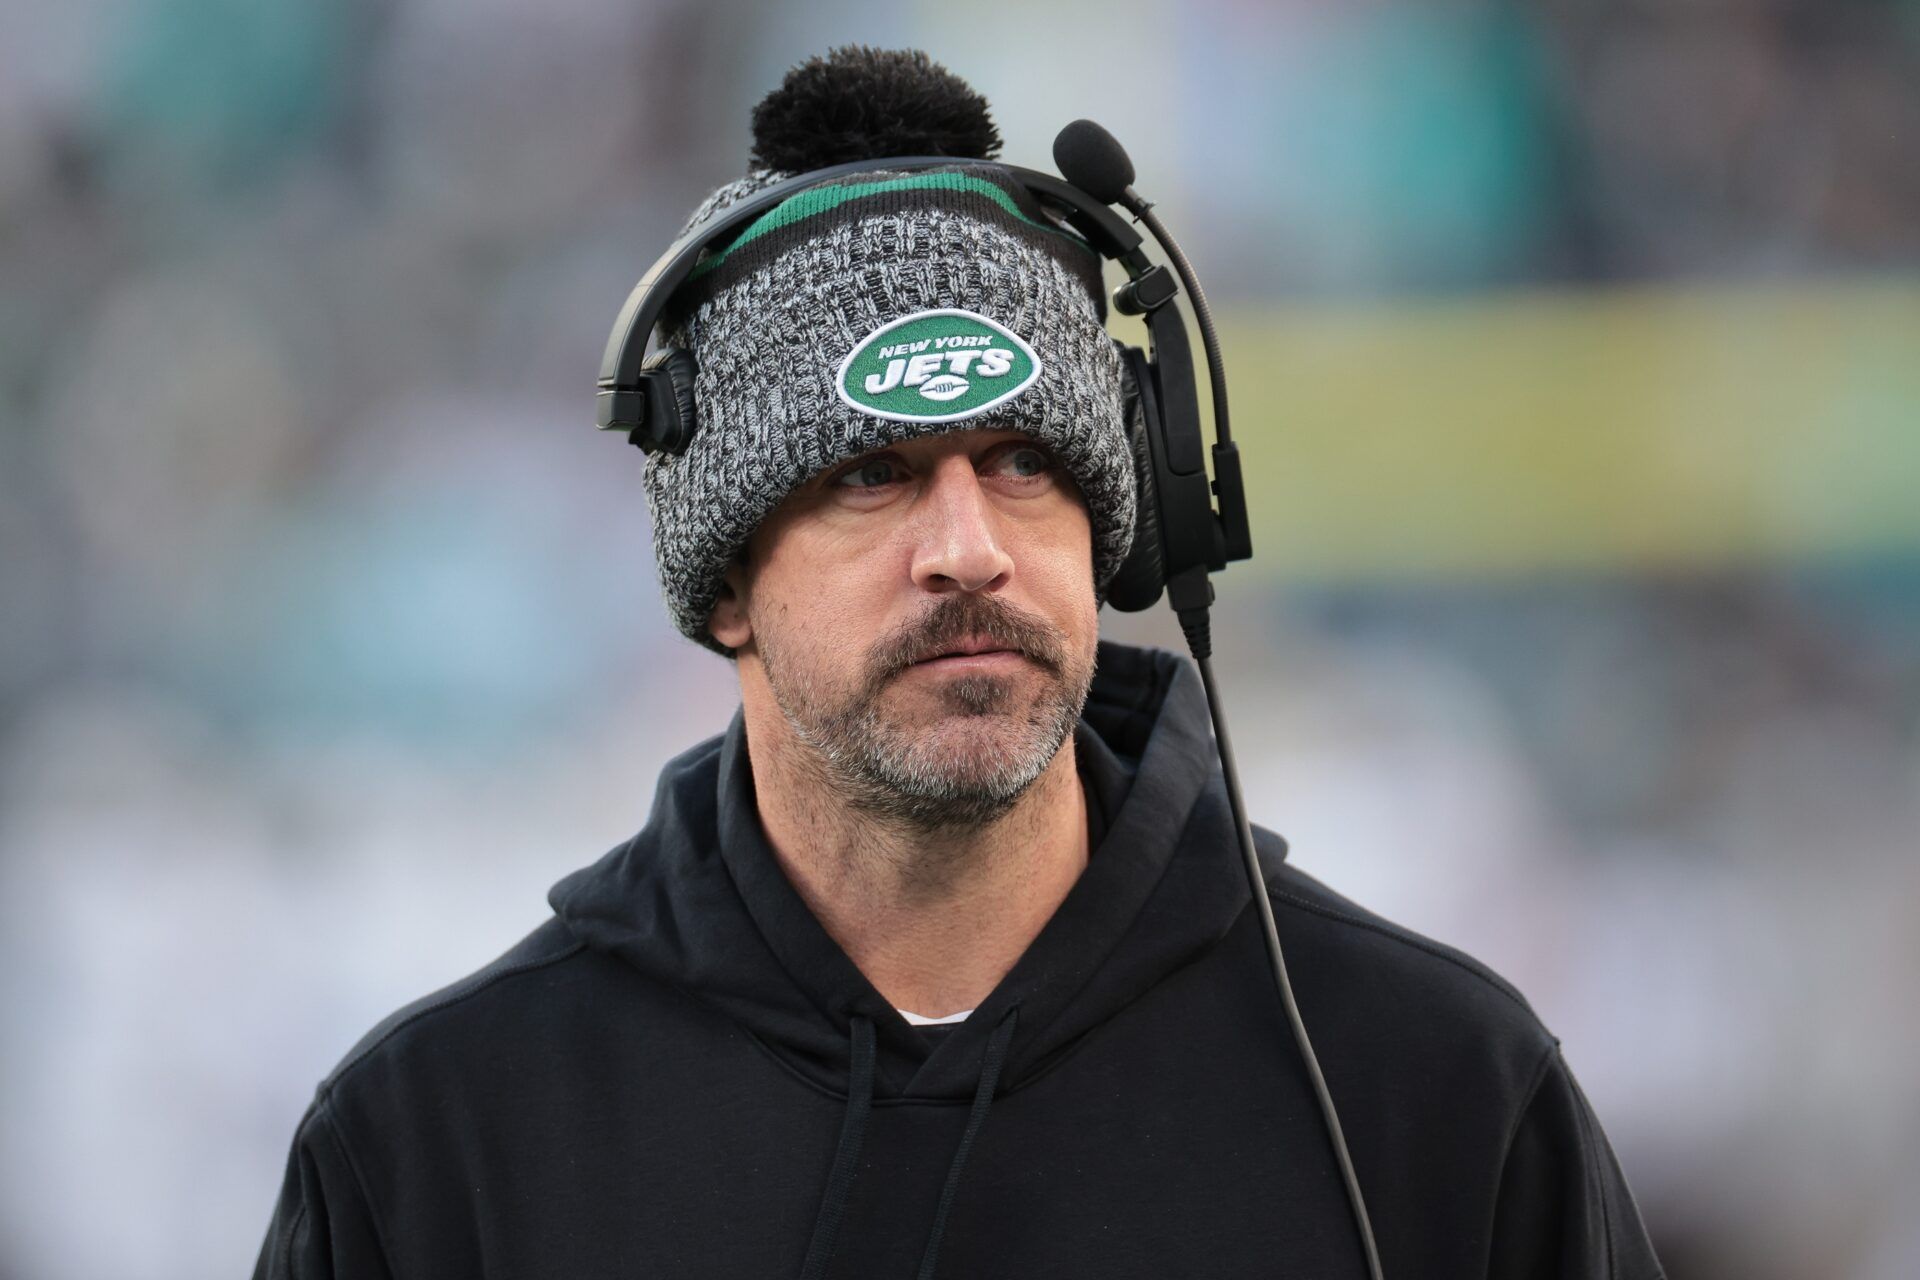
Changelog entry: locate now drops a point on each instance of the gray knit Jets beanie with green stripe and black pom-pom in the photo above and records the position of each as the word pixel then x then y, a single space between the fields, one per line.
pixel 880 308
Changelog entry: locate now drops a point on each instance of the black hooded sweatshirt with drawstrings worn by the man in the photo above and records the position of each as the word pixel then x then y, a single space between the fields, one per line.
pixel 684 1076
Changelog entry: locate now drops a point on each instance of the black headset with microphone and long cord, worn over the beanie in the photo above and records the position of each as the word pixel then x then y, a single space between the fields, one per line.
pixel 1180 536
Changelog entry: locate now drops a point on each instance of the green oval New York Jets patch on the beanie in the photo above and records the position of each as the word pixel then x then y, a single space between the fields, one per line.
pixel 936 367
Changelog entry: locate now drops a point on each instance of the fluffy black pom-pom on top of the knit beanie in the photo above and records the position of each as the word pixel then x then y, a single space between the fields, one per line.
pixel 863 105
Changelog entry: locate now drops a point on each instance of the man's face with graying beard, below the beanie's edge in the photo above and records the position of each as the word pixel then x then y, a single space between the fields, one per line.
pixel 926 623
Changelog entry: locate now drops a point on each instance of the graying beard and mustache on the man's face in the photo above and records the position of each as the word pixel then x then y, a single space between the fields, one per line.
pixel 986 746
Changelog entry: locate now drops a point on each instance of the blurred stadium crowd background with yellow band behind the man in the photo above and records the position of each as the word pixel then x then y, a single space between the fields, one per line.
pixel 1577 364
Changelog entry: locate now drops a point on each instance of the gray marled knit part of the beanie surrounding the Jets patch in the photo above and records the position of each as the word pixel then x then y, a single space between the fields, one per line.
pixel 769 348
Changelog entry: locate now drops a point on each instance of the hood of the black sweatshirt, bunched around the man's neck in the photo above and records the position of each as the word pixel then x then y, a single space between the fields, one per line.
pixel 698 901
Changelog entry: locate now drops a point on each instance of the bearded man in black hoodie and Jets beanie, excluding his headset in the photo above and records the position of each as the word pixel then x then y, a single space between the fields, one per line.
pixel 940 960
